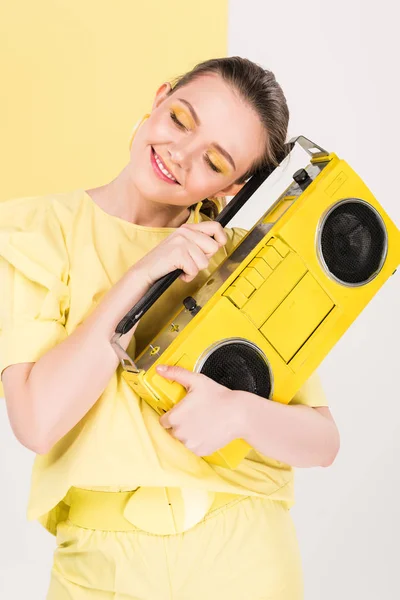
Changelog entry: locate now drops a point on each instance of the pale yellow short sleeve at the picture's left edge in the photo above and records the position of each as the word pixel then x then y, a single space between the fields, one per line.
pixel 34 271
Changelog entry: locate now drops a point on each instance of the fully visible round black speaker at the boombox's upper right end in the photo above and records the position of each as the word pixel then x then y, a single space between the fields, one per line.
pixel 353 242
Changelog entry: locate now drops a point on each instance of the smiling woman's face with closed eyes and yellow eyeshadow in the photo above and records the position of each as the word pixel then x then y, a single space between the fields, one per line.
pixel 203 136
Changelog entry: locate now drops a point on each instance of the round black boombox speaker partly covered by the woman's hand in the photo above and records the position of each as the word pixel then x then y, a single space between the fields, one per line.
pixel 238 365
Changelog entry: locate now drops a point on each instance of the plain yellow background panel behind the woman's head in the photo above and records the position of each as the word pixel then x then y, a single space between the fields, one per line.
pixel 76 76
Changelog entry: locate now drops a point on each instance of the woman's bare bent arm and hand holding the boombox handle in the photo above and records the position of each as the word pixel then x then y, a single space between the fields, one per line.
pixel 47 398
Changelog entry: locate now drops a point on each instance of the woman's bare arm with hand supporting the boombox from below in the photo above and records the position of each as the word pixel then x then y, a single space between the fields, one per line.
pixel 211 415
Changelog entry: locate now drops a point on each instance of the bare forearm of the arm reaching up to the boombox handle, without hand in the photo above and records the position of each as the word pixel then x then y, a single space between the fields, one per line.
pixel 66 382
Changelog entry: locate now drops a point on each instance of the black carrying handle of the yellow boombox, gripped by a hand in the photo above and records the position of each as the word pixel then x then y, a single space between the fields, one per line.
pixel 230 210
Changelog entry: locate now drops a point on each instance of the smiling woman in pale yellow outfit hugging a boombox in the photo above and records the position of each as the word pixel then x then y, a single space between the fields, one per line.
pixel 110 476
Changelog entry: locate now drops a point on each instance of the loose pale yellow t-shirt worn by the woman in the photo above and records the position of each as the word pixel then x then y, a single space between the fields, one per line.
pixel 59 254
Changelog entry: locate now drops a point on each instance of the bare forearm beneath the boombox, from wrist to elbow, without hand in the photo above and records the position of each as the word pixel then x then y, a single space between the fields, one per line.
pixel 297 434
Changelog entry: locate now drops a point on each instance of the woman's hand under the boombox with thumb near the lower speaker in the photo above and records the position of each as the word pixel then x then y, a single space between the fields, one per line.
pixel 208 417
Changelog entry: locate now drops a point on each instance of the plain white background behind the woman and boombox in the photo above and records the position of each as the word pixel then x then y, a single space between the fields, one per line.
pixel 338 65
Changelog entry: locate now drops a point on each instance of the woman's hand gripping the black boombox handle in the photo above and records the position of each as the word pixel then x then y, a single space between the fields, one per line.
pixel 189 248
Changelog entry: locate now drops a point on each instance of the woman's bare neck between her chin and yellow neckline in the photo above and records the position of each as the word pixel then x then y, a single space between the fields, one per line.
pixel 121 198
